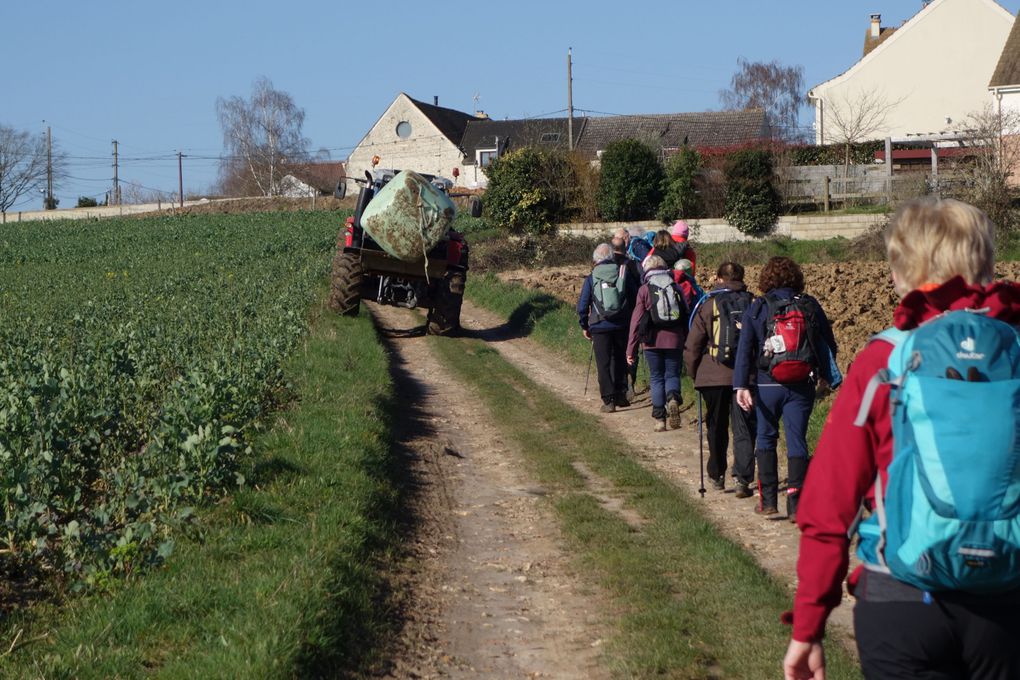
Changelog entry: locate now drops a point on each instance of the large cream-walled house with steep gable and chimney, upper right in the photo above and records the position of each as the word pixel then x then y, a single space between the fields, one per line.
pixel 920 80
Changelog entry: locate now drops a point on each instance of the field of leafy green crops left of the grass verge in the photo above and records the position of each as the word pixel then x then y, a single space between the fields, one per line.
pixel 137 358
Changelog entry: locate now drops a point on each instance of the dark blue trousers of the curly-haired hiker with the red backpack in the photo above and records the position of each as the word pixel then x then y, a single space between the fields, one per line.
pixel 794 404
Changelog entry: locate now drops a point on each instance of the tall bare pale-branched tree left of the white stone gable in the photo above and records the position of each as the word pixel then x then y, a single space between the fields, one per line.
pixel 262 137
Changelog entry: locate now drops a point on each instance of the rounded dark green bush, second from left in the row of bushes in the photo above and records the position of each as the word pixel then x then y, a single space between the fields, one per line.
pixel 631 186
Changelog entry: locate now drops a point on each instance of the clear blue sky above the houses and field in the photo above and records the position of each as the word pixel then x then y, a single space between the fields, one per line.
pixel 149 74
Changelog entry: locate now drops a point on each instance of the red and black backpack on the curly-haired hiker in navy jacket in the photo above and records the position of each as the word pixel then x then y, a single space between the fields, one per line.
pixel 789 351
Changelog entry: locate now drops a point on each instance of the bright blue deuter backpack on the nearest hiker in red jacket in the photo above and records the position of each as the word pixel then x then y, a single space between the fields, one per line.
pixel 950 515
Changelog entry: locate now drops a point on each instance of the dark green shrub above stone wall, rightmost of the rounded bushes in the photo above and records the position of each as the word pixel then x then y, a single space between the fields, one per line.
pixel 752 201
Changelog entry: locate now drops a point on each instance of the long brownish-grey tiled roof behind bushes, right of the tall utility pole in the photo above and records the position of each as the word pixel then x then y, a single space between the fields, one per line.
pixel 672 131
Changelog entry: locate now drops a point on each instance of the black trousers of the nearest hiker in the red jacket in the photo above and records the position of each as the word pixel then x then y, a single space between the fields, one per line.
pixel 948 640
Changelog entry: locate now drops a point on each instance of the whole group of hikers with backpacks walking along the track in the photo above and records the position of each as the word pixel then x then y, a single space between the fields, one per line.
pixel 920 459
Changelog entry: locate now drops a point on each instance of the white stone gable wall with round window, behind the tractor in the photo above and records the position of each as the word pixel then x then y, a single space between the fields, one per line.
pixel 427 150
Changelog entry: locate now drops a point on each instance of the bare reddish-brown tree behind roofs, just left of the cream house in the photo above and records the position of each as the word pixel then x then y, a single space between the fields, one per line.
pixel 776 89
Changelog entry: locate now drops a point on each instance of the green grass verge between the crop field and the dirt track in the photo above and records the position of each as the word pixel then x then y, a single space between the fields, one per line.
pixel 286 581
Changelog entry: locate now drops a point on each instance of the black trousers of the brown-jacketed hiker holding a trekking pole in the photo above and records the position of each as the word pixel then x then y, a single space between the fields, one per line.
pixel 722 414
